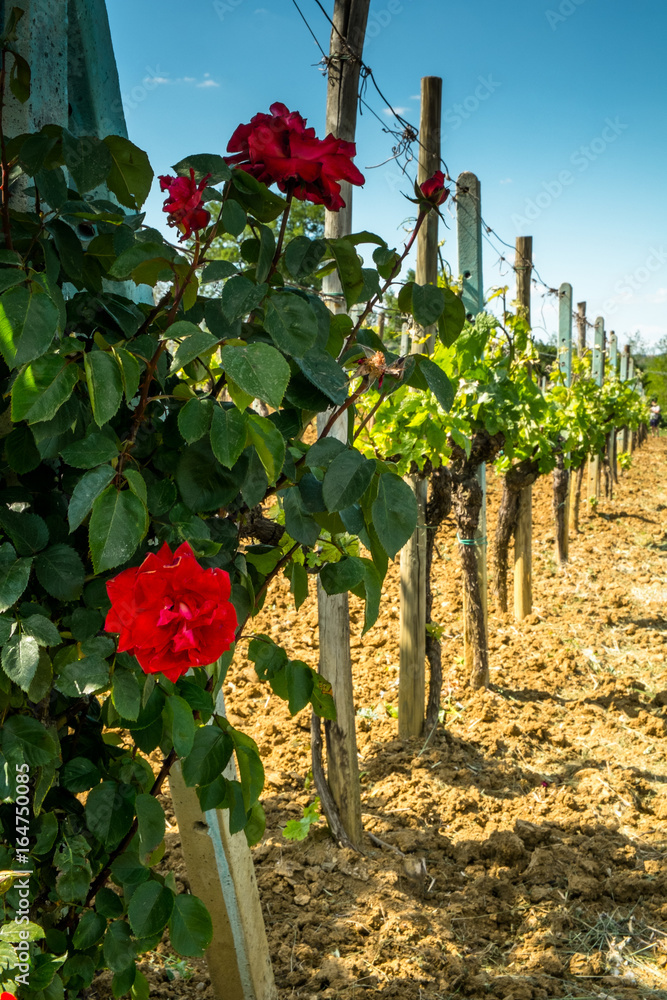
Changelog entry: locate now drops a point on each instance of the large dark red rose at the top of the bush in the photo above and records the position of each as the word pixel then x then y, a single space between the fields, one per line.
pixel 278 148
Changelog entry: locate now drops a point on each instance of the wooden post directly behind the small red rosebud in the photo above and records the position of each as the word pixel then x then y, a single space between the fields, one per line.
pixel 412 641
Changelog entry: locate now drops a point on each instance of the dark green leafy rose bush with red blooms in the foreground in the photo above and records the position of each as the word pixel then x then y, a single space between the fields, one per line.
pixel 129 432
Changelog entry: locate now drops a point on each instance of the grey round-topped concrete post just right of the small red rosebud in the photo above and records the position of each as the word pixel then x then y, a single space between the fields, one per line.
pixel 469 237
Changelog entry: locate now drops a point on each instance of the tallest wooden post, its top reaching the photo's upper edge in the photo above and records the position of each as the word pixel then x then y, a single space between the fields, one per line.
pixel 347 36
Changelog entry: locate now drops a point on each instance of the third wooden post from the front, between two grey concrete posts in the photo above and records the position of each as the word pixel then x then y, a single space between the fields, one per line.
pixel 523 536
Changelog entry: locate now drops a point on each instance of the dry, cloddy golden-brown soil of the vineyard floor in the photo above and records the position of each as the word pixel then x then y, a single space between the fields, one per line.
pixel 526 838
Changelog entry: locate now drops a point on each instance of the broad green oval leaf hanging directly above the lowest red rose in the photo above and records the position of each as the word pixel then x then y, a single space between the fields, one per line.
pixel 118 523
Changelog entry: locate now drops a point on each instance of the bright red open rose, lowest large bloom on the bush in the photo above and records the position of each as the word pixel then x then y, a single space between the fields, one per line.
pixel 171 613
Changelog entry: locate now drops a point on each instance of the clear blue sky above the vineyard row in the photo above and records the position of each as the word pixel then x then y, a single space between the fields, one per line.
pixel 557 105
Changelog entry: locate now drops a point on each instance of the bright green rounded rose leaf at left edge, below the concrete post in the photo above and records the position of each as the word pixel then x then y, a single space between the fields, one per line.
pixel 28 324
